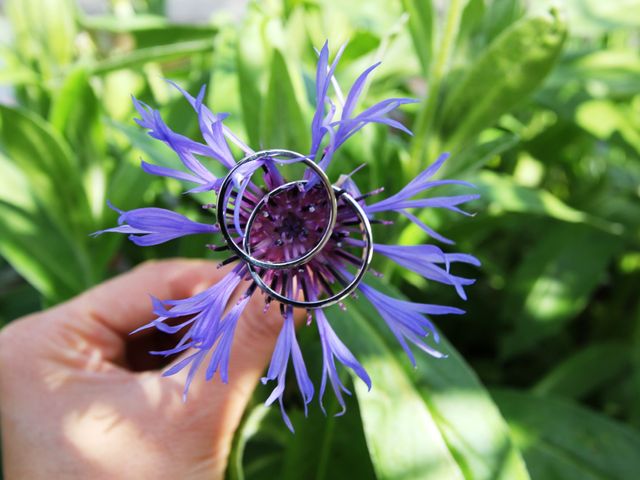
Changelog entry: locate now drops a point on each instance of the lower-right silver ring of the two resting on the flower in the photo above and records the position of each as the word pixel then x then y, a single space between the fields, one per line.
pixel 367 254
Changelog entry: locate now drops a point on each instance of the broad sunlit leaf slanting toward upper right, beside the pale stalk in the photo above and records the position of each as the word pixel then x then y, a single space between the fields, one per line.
pixel 511 68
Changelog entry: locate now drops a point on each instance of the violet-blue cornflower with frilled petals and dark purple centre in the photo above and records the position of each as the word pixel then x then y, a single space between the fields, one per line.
pixel 304 243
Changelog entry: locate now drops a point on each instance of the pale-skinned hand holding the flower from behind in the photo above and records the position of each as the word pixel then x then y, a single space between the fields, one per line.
pixel 72 408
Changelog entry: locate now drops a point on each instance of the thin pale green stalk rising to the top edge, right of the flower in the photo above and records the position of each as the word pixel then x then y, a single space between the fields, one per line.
pixel 426 114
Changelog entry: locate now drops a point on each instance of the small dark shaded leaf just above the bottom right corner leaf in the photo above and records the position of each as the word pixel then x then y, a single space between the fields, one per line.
pixel 586 370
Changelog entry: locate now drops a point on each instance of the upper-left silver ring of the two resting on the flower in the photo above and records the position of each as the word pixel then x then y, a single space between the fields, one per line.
pixel 242 251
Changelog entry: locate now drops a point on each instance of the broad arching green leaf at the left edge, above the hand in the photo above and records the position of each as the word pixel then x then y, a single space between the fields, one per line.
pixel 47 220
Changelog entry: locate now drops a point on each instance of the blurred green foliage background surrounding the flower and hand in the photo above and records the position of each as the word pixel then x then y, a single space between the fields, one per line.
pixel 539 104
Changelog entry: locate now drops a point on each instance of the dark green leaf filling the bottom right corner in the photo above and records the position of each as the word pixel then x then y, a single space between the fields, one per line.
pixel 562 441
